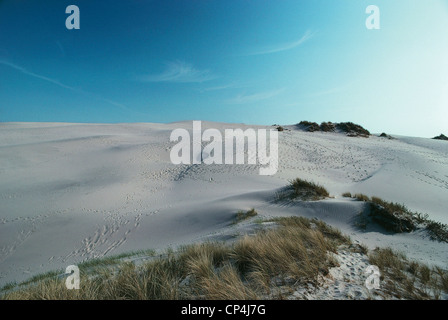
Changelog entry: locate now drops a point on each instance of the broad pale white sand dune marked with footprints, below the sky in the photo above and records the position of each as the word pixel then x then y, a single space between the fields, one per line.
pixel 71 192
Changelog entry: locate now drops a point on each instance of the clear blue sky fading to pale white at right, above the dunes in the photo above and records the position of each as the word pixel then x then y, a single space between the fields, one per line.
pixel 243 61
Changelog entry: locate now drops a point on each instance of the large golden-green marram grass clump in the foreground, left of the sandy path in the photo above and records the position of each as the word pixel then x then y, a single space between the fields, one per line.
pixel 294 253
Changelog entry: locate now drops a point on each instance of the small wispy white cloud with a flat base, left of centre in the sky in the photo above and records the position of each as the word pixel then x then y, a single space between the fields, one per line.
pixel 181 72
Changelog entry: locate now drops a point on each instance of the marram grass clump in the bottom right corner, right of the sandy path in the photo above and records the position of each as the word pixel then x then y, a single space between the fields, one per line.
pixel 405 279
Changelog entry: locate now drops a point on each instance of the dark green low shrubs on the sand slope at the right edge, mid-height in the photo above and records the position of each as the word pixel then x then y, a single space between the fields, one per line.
pixel 397 218
